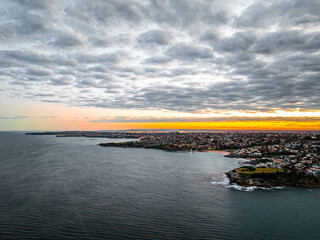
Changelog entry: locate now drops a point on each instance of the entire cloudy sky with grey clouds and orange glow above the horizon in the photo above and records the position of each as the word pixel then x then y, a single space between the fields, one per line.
pixel 180 64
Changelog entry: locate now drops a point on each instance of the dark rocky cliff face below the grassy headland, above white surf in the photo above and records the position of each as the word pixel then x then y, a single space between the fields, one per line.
pixel 273 180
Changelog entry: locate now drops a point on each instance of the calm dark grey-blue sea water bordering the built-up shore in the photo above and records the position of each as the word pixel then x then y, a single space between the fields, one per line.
pixel 70 188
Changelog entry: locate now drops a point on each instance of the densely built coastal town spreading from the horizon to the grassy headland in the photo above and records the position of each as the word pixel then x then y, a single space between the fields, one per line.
pixel 296 153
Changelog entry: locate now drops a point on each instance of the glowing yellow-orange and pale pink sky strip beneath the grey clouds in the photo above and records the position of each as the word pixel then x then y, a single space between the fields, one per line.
pixel 55 117
